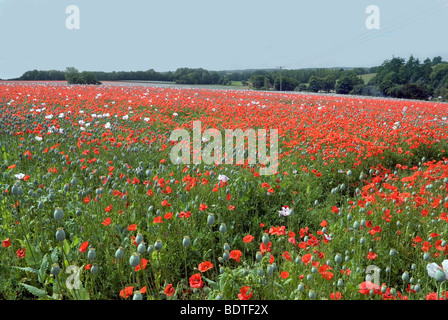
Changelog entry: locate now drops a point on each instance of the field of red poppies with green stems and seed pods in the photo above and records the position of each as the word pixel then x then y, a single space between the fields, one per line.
pixel 92 206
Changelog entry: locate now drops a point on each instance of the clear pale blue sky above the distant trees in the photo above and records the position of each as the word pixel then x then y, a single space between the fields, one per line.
pixel 216 35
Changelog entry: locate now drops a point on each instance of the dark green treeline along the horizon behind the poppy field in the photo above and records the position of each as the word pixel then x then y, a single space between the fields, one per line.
pixel 396 78
